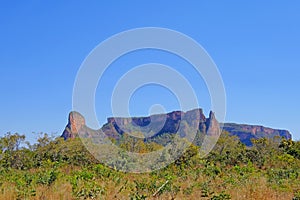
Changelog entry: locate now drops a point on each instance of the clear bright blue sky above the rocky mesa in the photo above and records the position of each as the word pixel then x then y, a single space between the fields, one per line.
pixel 255 44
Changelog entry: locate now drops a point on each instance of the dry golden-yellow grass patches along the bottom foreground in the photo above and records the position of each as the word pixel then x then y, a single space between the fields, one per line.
pixel 254 188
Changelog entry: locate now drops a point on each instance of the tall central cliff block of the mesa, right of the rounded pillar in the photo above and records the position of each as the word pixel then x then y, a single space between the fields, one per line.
pixel 165 123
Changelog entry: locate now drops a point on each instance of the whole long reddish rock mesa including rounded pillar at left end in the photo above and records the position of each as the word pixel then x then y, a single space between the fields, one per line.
pixel 174 122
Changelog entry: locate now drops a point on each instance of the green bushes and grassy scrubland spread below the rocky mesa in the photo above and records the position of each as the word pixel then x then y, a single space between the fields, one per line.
pixel 58 169
